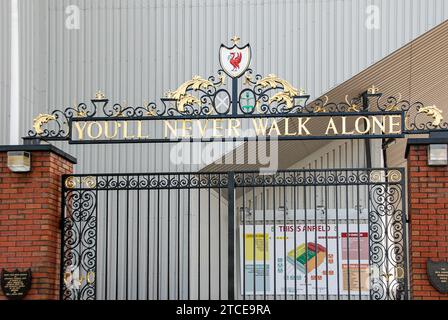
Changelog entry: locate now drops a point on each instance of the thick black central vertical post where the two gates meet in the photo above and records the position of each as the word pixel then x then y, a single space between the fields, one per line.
pixel 231 236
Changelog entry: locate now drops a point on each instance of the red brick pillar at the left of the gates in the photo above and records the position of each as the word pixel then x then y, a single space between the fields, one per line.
pixel 30 211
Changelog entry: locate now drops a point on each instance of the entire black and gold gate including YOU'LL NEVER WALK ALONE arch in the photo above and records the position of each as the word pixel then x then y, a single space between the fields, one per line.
pixel 306 234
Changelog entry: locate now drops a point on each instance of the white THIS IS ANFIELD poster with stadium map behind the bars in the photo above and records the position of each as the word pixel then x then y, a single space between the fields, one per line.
pixel 310 259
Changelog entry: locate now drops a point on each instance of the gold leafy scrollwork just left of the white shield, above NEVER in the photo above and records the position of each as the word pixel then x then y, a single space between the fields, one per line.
pixel 183 98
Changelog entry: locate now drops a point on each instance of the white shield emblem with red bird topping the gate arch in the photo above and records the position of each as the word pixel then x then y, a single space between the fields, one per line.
pixel 235 60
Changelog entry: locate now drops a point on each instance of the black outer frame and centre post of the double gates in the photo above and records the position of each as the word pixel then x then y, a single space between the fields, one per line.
pixel 232 183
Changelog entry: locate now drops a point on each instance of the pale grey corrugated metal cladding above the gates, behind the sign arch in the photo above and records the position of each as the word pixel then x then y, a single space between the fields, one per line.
pixel 137 50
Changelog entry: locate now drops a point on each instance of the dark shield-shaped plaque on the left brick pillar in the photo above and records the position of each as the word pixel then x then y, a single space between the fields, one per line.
pixel 15 284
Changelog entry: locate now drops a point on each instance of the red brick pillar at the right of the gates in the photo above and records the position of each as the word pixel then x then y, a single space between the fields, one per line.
pixel 428 213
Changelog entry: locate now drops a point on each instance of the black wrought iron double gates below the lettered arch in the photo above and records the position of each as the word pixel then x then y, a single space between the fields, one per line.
pixel 296 234
